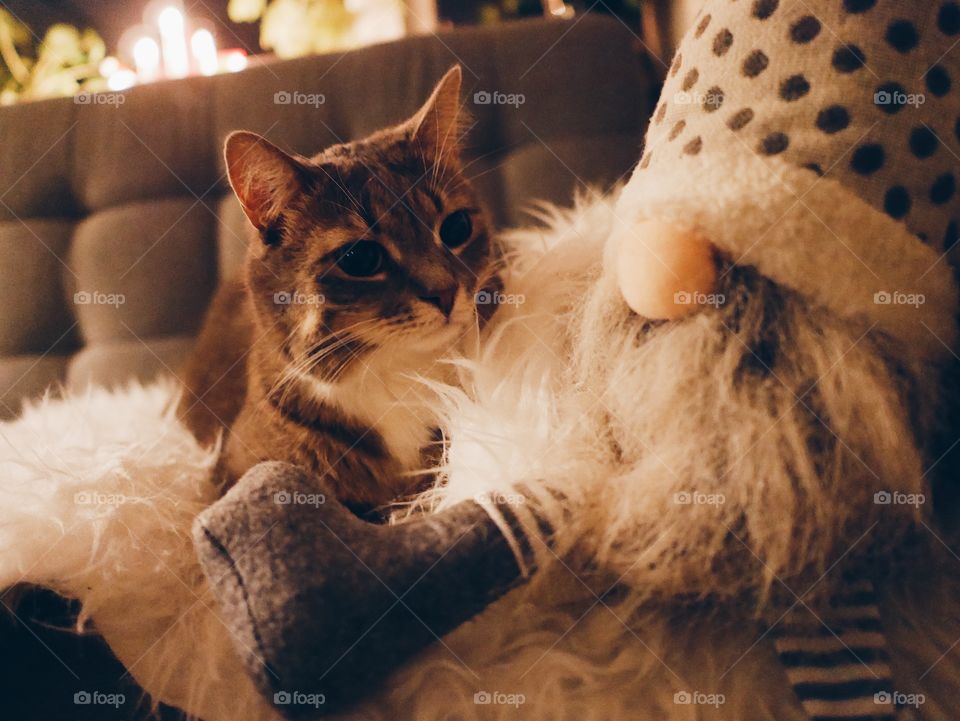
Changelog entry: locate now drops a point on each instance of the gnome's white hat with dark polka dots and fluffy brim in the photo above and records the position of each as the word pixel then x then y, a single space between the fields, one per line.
pixel 819 140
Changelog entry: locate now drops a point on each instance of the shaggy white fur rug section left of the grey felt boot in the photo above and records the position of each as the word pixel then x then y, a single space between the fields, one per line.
pixel 97 496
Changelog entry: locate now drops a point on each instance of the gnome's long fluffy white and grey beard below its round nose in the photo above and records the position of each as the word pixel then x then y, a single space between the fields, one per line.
pixel 715 456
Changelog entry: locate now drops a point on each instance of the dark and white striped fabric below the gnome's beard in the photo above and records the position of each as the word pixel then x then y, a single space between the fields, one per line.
pixel 837 660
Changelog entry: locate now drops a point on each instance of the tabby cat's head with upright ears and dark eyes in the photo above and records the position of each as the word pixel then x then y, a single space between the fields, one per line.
pixel 375 244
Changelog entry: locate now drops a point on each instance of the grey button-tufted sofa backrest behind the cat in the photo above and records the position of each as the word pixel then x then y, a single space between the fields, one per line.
pixel 127 201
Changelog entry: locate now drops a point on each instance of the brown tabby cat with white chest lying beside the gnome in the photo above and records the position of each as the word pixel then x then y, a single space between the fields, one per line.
pixel 364 272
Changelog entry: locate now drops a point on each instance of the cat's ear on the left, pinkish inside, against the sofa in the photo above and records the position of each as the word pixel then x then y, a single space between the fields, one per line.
pixel 263 177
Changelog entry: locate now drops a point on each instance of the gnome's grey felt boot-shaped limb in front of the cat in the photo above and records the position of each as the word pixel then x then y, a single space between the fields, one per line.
pixel 323 605
